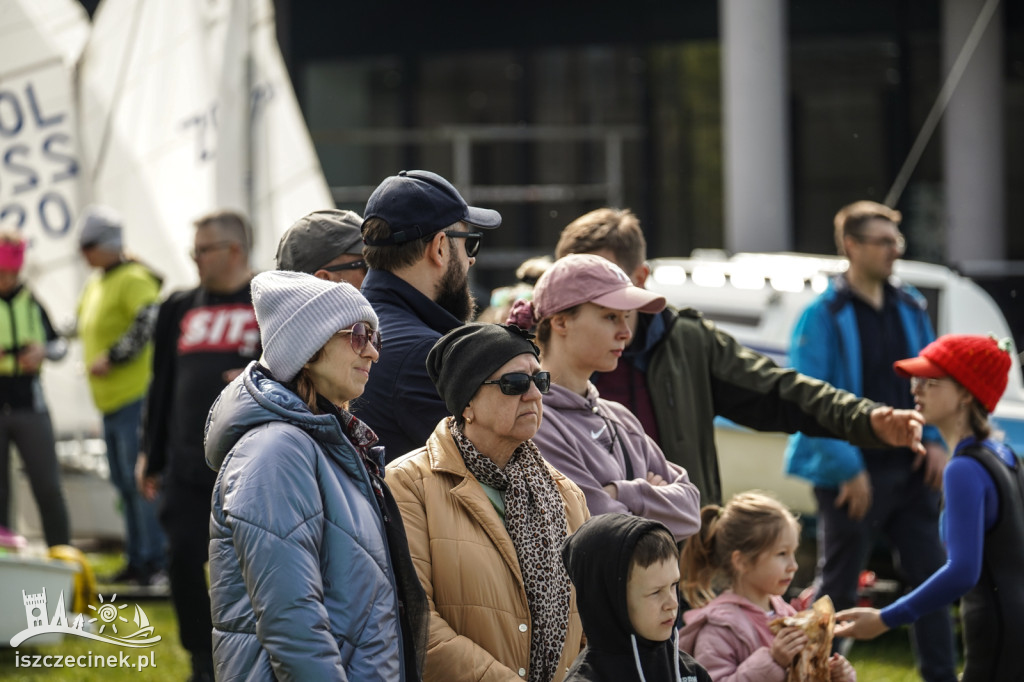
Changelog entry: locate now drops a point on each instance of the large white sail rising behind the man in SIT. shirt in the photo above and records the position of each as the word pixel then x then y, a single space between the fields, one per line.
pixel 186 108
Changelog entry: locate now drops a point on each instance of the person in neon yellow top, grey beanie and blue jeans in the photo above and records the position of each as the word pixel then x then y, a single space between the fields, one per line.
pixel 116 318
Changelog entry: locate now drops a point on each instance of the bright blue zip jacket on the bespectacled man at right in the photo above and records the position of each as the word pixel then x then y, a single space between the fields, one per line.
pixel 826 346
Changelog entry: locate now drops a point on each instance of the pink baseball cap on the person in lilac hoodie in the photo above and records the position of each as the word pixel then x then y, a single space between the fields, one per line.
pixel 588 279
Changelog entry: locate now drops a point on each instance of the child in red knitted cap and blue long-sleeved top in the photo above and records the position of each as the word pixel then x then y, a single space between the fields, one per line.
pixel 957 381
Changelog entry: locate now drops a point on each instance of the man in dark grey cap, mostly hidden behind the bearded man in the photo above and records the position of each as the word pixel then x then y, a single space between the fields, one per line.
pixel 326 244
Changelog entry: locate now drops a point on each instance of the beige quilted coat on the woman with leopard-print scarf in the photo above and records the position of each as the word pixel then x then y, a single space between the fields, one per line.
pixel 480 619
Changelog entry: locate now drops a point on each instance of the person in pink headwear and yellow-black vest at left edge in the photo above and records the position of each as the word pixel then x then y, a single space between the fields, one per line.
pixel 27 338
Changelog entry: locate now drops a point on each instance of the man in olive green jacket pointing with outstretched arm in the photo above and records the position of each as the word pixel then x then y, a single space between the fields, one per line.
pixel 680 372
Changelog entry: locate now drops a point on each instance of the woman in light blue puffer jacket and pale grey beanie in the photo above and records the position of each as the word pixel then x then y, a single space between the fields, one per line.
pixel 310 570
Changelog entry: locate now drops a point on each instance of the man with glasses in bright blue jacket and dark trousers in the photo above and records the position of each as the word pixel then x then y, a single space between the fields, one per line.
pixel 850 336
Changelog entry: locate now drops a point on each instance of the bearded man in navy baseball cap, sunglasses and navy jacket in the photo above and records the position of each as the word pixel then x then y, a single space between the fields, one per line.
pixel 421 239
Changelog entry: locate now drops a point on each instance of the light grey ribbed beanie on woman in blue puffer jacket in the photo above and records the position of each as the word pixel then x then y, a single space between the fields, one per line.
pixel 298 314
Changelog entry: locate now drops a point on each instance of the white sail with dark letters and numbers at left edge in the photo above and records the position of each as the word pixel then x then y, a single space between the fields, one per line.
pixel 41 175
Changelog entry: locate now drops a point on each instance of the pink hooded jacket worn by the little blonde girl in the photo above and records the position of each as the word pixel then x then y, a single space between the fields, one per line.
pixel 732 640
